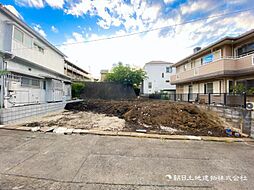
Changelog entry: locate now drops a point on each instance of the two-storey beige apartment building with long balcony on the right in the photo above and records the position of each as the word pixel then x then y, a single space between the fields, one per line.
pixel 217 67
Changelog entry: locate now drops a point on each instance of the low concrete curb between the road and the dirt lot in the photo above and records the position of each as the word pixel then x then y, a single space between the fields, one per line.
pixel 129 134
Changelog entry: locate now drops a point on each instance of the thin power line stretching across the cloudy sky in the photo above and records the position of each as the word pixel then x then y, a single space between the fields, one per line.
pixel 152 29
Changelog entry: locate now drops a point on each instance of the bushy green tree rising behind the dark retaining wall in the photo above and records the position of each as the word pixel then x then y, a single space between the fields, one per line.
pixel 126 75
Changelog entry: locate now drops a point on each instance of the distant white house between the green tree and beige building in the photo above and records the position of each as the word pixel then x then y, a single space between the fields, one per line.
pixel 158 77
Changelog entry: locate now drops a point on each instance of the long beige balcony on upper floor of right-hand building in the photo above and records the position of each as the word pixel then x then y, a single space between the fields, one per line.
pixel 220 67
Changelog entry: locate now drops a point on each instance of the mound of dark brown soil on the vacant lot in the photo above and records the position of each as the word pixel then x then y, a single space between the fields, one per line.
pixel 157 116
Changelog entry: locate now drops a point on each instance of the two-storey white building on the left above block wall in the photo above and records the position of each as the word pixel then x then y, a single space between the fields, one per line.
pixel 35 68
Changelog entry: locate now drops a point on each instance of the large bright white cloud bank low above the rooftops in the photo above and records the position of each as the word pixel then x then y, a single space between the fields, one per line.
pixel 137 50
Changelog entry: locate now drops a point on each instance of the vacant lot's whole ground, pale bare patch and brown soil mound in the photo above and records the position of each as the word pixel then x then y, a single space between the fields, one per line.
pixel 153 116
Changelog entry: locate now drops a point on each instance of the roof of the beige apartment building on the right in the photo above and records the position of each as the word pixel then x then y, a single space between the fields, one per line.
pixel 224 40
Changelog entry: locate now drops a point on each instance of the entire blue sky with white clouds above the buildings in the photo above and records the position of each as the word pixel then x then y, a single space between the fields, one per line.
pixel 63 22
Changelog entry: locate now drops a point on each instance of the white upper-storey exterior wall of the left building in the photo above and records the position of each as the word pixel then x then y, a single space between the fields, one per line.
pixel 49 59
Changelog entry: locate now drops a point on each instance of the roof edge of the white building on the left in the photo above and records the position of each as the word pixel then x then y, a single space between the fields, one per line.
pixel 28 28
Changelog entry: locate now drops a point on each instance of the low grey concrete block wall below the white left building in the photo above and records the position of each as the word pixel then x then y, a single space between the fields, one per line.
pixel 15 114
